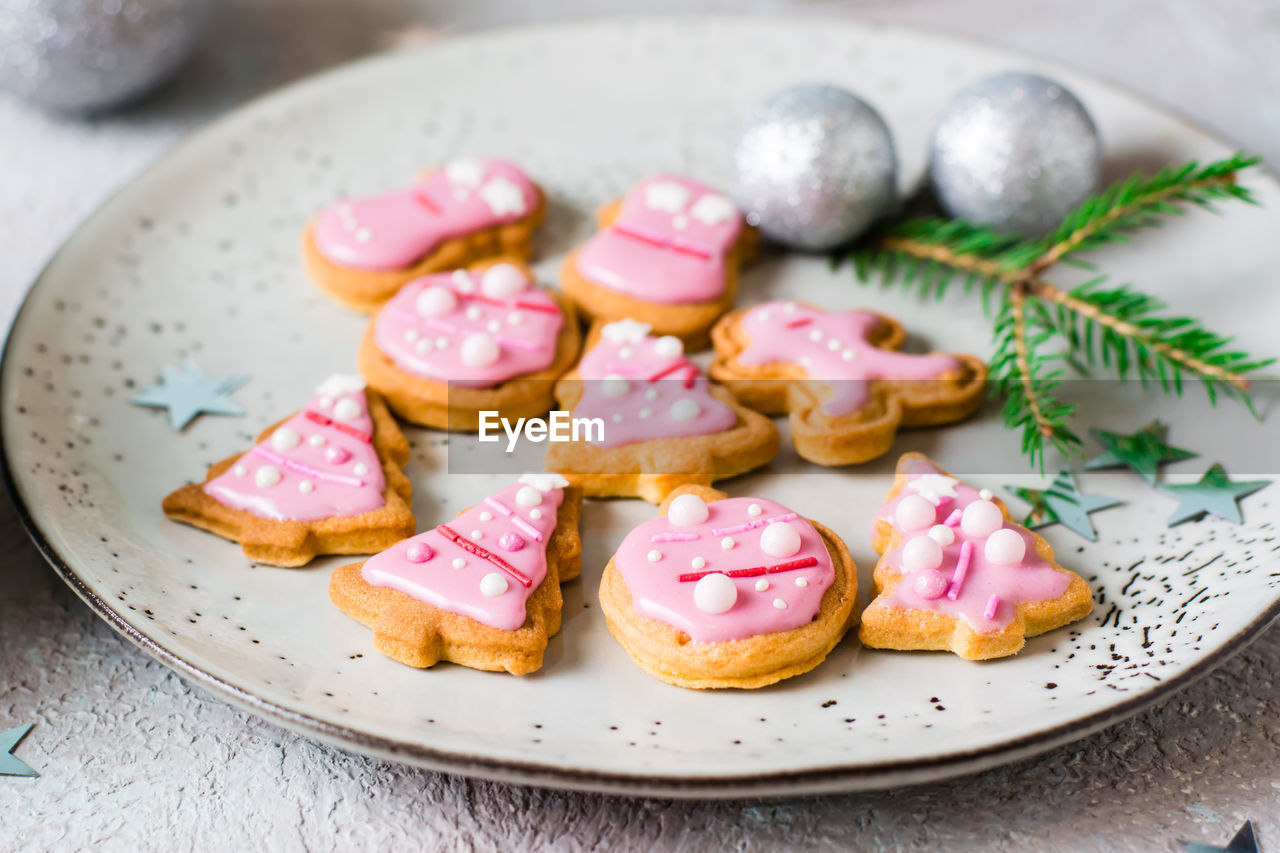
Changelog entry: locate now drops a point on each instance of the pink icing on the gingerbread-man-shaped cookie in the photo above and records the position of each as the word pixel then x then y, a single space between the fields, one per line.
pixel 833 348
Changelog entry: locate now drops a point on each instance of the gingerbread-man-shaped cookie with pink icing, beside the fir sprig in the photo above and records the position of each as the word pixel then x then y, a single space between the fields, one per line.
pixel 840 377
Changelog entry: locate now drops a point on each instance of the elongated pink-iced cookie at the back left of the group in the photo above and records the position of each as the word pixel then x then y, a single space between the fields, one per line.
pixel 363 250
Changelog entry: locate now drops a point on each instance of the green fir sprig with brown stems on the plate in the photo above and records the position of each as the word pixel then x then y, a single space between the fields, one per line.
pixel 1091 325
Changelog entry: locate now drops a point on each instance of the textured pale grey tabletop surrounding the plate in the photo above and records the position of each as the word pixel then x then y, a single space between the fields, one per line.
pixel 134 758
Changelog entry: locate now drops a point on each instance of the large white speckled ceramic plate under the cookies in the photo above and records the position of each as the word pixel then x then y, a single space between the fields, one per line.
pixel 199 259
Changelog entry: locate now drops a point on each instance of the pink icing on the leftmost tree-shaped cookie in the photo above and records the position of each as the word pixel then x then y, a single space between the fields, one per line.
pixel 351 487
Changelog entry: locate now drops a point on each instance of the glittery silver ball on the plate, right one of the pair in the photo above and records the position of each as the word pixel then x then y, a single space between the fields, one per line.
pixel 1014 152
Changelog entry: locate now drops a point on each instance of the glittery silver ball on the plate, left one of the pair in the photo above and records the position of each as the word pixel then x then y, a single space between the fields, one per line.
pixel 815 167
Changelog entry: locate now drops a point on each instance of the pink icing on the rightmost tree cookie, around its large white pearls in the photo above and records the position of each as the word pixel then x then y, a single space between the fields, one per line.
pixel 984 583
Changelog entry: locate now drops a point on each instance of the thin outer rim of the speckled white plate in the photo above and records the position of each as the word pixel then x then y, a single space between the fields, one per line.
pixel 838 778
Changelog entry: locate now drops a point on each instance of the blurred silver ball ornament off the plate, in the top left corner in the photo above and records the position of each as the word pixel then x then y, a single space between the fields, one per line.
pixel 80 56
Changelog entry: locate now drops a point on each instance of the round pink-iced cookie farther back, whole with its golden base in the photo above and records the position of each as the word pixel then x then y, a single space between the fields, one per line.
pixel 452 345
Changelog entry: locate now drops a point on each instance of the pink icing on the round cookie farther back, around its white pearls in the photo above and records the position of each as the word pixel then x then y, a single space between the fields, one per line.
pixel 525 327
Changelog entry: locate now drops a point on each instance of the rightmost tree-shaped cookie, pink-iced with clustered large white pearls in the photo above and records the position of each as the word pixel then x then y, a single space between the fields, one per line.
pixel 959 576
